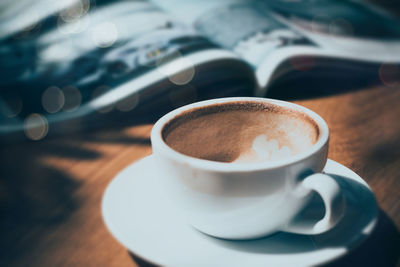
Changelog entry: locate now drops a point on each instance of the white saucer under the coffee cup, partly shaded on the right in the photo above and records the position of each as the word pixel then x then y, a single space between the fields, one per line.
pixel 142 218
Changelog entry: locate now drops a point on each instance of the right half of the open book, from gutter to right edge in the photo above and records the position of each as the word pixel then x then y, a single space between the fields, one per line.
pixel 268 34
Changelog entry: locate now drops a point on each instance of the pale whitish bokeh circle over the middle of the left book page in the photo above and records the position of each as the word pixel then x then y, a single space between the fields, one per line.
pixel 104 34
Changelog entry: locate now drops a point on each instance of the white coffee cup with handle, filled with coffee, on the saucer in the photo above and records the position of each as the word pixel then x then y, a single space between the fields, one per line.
pixel 242 200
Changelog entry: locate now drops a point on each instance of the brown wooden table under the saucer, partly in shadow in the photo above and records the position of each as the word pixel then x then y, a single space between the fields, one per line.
pixel 50 191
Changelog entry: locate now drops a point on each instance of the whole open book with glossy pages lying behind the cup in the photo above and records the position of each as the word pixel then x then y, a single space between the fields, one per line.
pixel 77 64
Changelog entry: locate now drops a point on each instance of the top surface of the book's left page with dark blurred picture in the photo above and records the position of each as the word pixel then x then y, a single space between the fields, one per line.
pixel 90 50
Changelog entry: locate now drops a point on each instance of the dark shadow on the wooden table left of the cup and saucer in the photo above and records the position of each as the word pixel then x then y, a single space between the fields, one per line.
pixel 35 196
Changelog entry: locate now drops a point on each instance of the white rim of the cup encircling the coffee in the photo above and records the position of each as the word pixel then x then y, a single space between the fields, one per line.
pixel 161 146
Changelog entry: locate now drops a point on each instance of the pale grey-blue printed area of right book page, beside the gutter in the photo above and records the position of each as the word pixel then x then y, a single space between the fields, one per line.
pixel 244 27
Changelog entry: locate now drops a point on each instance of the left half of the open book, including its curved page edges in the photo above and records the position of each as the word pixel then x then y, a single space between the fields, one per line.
pixel 84 63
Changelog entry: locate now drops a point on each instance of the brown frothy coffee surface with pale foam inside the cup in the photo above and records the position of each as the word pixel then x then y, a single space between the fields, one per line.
pixel 227 132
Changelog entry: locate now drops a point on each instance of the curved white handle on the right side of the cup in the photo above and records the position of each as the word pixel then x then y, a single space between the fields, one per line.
pixel 333 199
